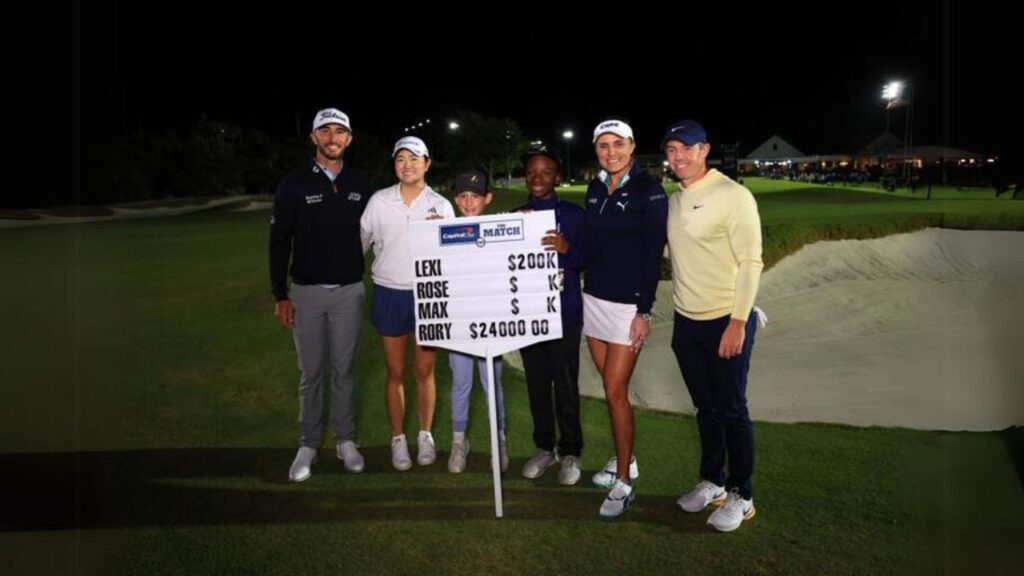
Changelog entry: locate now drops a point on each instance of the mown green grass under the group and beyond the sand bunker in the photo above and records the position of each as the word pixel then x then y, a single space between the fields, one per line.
pixel 147 425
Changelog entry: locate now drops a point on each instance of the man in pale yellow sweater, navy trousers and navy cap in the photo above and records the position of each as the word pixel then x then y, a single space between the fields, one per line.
pixel 715 245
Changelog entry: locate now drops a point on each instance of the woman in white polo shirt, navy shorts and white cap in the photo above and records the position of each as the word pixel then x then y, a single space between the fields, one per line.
pixel 386 227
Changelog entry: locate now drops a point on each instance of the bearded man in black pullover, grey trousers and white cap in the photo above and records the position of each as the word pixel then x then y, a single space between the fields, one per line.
pixel 316 225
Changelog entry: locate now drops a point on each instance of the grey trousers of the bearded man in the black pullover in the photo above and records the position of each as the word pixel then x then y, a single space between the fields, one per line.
pixel 327 332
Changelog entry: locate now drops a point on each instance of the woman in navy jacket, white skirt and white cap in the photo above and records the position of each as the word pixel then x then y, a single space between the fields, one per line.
pixel 626 220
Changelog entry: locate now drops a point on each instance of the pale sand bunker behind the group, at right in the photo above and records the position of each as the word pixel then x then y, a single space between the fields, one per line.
pixel 917 331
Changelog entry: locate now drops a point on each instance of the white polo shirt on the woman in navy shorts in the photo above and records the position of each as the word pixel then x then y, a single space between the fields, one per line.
pixel 386 227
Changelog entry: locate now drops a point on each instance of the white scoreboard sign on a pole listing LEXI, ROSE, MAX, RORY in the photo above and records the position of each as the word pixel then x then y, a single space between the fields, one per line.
pixel 485 286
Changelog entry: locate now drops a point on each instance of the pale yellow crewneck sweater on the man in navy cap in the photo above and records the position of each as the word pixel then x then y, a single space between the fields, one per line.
pixel 715 245
